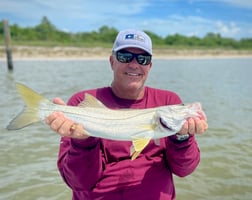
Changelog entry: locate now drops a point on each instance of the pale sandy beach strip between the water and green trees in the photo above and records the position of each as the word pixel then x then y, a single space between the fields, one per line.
pixel 74 53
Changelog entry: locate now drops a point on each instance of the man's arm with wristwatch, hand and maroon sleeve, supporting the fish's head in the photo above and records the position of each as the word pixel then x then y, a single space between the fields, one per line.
pixel 183 156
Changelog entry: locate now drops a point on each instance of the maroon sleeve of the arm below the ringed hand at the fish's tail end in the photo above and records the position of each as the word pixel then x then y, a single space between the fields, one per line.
pixel 80 162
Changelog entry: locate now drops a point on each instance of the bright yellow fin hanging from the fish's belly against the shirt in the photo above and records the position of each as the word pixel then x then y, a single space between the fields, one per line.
pixel 138 145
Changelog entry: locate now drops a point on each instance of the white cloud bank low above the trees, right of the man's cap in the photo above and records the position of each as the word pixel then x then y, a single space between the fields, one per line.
pixel 196 26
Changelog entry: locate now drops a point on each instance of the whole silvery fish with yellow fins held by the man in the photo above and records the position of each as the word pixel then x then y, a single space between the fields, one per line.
pixel 136 125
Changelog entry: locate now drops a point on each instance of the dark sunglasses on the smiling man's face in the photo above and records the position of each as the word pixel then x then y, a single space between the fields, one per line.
pixel 127 57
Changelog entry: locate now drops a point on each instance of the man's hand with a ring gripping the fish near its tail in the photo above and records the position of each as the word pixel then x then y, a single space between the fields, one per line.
pixel 63 126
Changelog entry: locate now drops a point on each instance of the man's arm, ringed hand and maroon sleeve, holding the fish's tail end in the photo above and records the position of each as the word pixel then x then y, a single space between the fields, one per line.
pixel 80 157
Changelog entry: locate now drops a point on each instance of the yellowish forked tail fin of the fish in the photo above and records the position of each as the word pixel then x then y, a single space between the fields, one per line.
pixel 29 114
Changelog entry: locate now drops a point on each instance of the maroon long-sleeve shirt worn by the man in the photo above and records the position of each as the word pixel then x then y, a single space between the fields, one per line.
pixel 102 169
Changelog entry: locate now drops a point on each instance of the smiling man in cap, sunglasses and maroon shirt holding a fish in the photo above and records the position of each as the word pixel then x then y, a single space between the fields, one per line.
pixel 96 168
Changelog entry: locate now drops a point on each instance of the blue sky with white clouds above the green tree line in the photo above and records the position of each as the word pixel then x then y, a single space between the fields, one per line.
pixel 229 18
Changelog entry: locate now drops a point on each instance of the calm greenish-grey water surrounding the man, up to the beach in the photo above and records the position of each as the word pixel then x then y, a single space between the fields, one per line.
pixel 224 87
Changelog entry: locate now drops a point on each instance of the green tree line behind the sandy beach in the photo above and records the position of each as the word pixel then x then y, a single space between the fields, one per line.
pixel 46 34
